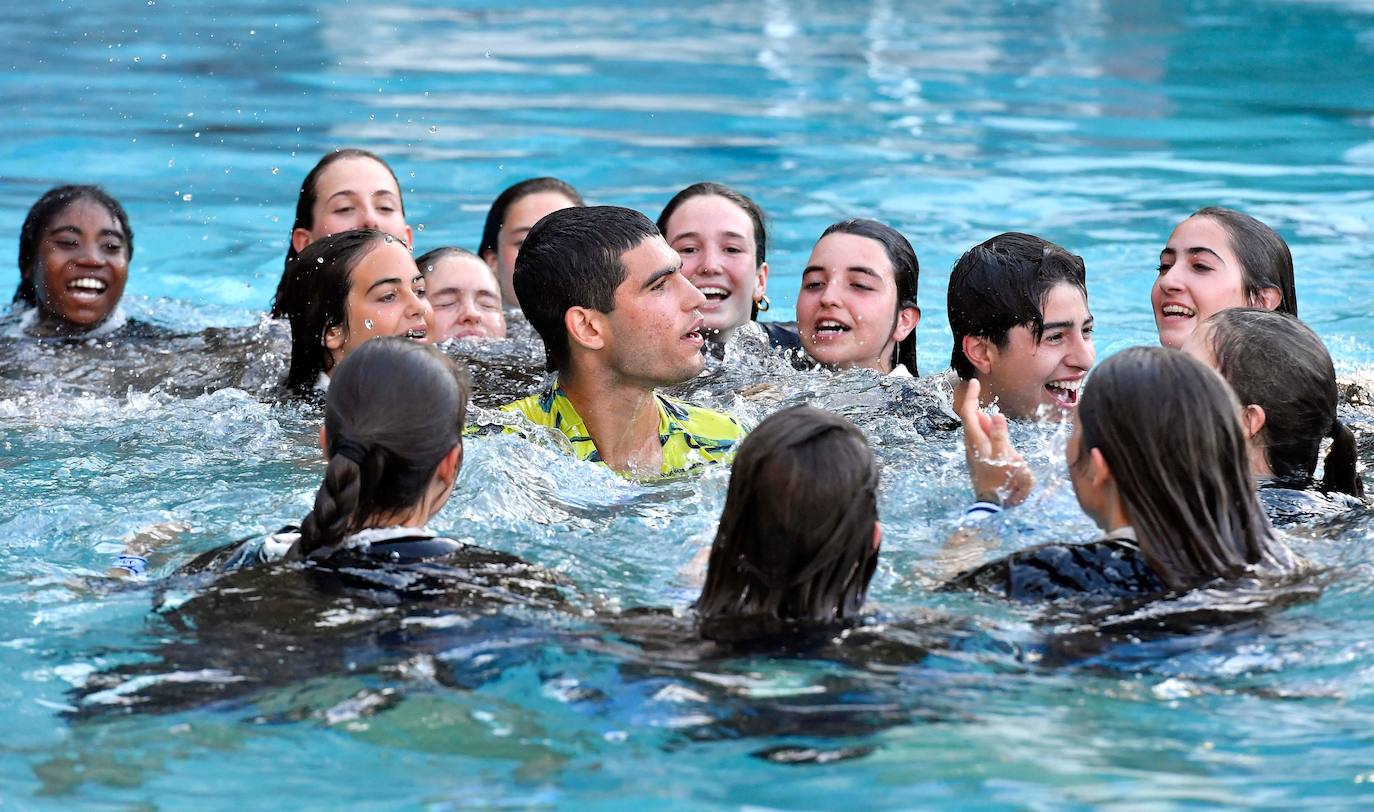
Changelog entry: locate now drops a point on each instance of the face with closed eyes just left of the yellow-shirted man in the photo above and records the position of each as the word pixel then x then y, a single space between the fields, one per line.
pixel 466 300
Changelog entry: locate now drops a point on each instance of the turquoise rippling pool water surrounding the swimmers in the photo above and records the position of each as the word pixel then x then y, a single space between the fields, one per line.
pixel 1094 124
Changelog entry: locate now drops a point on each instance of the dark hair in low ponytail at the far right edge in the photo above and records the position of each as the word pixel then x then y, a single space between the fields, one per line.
pixel 1277 363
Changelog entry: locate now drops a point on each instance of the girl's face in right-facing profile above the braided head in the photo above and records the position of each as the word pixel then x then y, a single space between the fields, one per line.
pixel 387 297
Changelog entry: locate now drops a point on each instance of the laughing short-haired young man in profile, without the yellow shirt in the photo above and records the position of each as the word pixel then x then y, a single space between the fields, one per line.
pixel 1019 311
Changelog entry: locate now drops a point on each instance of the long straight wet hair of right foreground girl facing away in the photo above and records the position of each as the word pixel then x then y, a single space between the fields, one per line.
pixel 1170 431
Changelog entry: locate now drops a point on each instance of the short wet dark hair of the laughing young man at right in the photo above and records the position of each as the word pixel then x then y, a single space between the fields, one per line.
pixel 1004 284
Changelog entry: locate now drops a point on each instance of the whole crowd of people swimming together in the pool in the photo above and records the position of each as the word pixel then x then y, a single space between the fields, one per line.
pixel 1169 451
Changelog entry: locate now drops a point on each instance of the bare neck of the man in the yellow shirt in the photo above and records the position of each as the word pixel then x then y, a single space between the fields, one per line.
pixel 622 418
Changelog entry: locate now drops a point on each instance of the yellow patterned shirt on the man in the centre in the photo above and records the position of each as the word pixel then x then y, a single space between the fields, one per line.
pixel 692 436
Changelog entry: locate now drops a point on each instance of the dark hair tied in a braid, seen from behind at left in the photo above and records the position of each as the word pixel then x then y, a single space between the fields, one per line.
pixel 394 411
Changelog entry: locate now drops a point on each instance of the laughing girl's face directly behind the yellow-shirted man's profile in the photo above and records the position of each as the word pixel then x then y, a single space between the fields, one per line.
pixel 717 241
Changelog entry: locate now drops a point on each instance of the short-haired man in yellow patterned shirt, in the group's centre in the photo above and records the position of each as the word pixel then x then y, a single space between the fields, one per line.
pixel 619 319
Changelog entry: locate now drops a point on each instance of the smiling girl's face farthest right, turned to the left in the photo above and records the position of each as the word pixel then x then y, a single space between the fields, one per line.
pixel 1200 275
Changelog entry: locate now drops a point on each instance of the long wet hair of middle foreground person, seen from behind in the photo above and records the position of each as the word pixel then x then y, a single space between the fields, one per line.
pixel 796 537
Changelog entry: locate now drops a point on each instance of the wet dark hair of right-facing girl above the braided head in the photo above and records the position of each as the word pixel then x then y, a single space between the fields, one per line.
pixel 314 297
